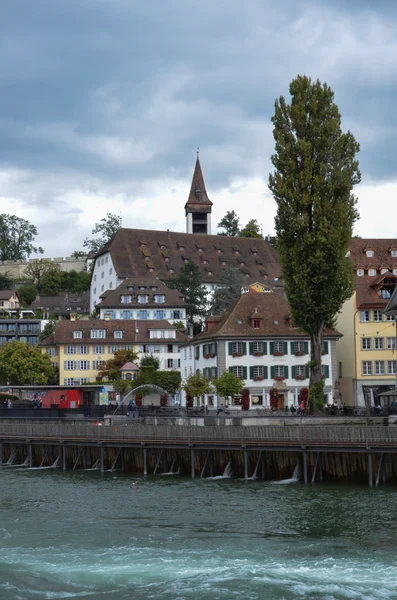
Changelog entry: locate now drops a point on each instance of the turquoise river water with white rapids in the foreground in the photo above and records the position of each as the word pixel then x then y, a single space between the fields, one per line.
pixel 77 535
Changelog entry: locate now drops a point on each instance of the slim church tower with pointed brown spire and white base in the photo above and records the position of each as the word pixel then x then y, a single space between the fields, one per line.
pixel 198 206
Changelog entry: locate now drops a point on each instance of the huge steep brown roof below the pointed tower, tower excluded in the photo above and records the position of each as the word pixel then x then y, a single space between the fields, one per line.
pixel 139 252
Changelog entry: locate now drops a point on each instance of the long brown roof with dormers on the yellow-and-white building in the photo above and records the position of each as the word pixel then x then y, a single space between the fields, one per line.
pixel 64 332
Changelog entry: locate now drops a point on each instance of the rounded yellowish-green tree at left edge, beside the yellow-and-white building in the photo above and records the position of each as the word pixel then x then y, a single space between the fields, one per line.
pixel 23 364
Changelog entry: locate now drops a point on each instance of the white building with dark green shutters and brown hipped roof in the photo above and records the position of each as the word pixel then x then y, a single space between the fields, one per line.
pixel 256 341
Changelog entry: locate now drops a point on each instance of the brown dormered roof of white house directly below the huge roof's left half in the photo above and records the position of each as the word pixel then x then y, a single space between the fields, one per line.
pixel 112 298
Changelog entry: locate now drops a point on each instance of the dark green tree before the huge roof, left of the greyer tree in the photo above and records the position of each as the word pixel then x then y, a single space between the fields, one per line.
pixel 190 283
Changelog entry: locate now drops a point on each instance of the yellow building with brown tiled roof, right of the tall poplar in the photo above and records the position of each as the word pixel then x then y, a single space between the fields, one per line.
pixel 367 358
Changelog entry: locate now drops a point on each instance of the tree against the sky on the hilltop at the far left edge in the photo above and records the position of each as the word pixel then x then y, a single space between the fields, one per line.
pixel 17 238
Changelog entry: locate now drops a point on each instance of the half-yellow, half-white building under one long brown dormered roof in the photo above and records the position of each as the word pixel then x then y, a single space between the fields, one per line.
pixel 79 348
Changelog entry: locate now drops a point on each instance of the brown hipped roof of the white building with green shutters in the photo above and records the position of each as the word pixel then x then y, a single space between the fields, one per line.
pixel 276 319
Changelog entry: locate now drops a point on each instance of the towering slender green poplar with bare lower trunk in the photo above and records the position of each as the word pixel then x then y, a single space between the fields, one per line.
pixel 315 171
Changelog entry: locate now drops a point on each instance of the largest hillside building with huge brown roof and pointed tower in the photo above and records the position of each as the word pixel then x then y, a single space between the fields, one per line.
pixel 161 254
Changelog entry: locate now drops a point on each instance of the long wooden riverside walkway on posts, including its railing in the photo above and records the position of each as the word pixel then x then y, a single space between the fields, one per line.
pixel 333 451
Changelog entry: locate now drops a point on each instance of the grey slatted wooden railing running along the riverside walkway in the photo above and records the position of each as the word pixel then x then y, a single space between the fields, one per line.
pixel 309 435
